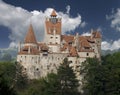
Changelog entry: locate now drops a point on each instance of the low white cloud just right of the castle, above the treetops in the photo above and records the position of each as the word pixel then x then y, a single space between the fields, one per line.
pixel 111 45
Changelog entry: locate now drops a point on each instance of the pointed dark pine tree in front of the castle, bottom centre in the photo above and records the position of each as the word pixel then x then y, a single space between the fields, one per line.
pixel 67 79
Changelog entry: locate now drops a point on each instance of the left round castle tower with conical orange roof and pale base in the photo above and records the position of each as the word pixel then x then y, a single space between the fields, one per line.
pixel 28 56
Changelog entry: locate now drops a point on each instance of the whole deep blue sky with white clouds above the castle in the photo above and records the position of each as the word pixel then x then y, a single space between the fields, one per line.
pixel 77 15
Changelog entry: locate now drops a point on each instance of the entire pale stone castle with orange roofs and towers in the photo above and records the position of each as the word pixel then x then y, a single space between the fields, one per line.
pixel 41 58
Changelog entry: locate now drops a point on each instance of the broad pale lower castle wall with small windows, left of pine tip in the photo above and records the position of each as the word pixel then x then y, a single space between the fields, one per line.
pixel 37 66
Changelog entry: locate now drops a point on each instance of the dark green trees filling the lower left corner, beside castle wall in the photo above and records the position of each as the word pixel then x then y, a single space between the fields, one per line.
pixel 11 78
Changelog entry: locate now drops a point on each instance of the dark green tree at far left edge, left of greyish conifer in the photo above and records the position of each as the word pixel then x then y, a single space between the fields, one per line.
pixel 7 72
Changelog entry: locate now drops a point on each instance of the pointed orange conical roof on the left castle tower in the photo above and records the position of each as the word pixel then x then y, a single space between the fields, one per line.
pixel 30 36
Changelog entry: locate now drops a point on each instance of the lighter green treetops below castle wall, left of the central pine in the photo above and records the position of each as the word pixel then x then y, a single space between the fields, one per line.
pixel 44 86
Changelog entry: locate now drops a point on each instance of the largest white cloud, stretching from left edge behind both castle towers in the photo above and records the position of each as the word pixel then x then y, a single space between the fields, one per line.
pixel 18 20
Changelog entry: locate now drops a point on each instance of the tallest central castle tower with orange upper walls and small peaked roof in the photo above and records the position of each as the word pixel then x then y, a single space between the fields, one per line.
pixel 53 32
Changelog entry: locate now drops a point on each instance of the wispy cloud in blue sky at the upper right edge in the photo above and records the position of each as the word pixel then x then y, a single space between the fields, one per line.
pixel 115 19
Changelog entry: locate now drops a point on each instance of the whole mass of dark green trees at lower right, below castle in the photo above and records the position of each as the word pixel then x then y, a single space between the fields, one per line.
pixel 102 78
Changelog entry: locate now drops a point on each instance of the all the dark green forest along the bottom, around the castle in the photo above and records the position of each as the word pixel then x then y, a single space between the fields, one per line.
pixel 99 78
